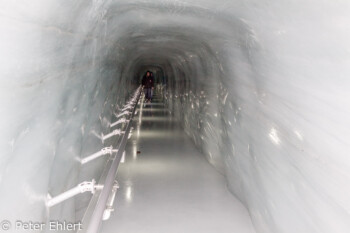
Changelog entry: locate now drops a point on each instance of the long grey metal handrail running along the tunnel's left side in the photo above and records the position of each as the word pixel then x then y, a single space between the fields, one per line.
pixel 93 216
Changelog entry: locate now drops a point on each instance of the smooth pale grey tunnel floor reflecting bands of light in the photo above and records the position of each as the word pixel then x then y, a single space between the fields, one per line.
pixel 168 186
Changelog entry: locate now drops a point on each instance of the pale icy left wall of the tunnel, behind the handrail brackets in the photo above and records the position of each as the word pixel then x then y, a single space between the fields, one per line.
pixel 60 84
